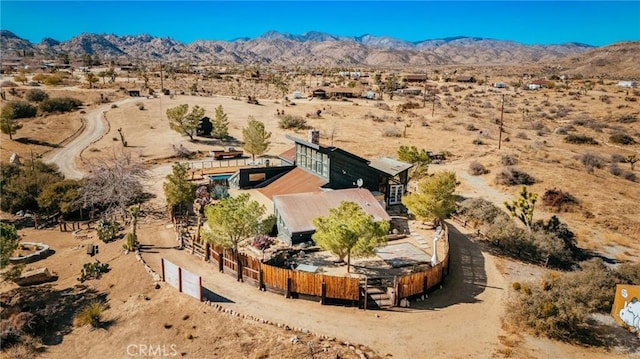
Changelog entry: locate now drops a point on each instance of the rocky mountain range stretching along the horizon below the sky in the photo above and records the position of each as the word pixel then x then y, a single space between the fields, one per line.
pixel 311 49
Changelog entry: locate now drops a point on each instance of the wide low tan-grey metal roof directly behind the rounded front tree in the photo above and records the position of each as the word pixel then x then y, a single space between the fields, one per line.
pixel 298 210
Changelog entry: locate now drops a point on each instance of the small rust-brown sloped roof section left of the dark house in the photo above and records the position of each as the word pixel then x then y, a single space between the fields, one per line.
pixel 298 180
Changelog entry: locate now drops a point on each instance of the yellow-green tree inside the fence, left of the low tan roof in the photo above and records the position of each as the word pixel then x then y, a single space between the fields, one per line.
pixel 231 221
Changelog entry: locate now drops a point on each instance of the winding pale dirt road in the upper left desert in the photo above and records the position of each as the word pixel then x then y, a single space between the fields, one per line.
pixel 95 128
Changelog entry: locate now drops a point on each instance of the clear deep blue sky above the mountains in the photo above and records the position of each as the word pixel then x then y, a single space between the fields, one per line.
pixel 539 22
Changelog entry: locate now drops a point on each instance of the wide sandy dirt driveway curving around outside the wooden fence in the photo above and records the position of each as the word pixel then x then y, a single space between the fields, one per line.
pixel 430 328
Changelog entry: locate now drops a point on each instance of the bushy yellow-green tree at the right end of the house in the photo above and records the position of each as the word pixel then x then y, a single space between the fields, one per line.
pixel 434 199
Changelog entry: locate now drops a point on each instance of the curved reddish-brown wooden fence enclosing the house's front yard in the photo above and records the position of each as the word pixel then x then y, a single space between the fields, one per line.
pixel 293 283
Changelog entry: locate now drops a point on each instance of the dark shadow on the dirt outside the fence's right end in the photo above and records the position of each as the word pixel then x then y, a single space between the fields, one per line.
pixel 467 277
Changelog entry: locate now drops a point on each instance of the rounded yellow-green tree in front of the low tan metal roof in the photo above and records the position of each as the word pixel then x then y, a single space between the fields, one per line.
pixel 349 231
